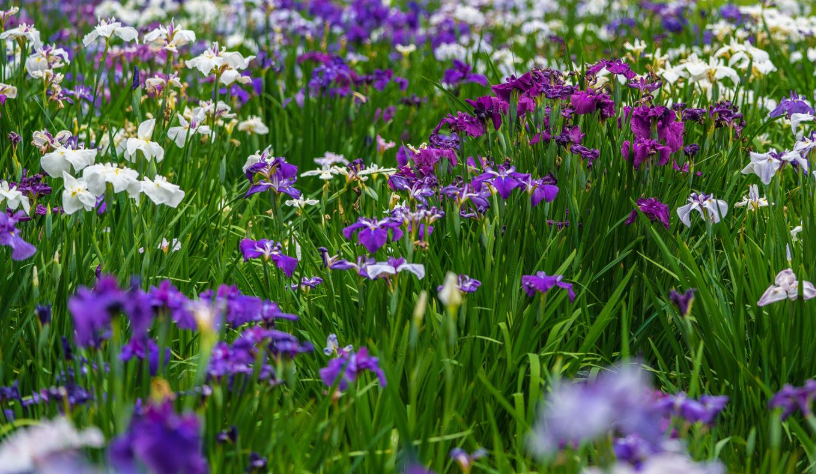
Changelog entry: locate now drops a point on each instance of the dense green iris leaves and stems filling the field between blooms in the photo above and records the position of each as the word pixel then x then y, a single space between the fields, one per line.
pixel 473 375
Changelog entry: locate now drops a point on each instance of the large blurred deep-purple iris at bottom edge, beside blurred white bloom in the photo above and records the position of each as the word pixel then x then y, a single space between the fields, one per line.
pixel 161 441
